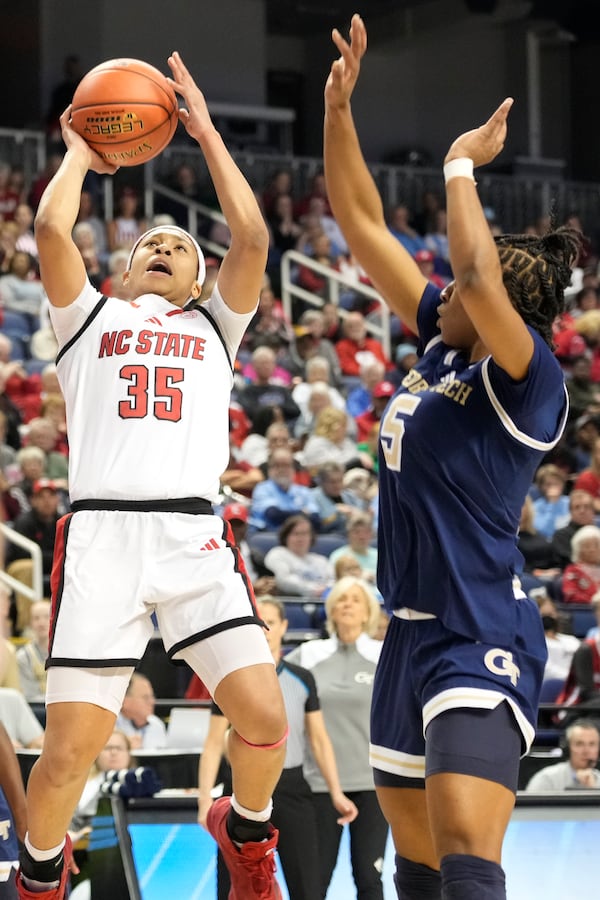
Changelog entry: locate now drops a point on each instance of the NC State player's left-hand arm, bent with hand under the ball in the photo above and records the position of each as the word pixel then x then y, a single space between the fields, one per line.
pixel 61 266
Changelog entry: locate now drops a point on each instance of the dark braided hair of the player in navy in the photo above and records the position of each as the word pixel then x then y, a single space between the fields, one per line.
pixel 536 270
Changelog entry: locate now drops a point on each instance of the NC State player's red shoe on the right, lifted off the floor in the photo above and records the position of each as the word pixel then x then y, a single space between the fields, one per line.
pixel 251 868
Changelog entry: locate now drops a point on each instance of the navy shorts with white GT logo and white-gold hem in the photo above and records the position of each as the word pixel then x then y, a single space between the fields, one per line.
pixel 425 670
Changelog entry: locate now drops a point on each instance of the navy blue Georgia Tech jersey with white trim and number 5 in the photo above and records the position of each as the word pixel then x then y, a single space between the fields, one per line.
pixel 459 446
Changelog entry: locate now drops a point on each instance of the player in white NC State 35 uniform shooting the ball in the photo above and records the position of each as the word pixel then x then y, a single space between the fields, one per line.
pixel 147 388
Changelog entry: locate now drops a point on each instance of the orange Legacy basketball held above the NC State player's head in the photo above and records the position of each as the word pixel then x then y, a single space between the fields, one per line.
pixel 126 111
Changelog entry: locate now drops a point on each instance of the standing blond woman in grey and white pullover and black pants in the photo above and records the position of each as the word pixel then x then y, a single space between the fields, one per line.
pixel 344 667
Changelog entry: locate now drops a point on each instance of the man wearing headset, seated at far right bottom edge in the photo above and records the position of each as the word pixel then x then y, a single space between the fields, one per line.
pixel 579 771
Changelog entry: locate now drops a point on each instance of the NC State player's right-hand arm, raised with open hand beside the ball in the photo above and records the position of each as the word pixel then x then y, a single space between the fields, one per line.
pixel 242 270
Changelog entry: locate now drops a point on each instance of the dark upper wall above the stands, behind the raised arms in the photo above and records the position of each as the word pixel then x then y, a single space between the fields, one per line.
pixel 430 72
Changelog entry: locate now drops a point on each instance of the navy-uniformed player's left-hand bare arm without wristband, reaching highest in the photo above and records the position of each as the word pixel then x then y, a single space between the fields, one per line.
pixel 353 194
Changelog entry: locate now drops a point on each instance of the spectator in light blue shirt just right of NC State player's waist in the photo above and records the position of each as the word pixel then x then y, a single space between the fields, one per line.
pixel 279 497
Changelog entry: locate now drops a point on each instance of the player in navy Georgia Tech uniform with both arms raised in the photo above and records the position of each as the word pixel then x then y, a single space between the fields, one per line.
pixel 457 685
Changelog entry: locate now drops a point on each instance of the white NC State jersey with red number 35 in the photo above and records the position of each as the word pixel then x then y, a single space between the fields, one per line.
pixel 147 389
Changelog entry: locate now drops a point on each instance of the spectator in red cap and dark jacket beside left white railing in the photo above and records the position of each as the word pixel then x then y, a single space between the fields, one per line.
pixel 39 525
